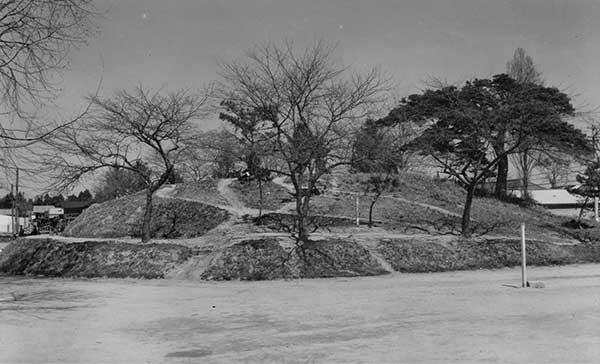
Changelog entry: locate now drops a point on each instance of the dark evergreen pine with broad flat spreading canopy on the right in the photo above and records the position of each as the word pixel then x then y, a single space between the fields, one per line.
pixel 463 123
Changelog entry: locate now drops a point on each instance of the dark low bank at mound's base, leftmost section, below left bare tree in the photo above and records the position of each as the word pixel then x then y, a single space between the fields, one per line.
pixel 88 259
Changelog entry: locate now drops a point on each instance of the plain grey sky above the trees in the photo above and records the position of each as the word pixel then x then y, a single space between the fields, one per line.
pixel 175 44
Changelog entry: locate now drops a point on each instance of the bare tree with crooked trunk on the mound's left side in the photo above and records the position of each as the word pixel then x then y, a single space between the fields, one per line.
pixel 132 127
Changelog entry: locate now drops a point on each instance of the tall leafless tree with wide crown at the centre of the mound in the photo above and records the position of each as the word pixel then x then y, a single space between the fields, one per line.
pixel 310 105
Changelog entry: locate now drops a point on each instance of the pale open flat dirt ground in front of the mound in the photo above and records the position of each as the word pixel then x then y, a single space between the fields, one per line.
pixel 457 317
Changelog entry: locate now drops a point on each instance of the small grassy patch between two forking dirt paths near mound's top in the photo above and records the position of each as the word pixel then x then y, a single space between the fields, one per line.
pixel 274 195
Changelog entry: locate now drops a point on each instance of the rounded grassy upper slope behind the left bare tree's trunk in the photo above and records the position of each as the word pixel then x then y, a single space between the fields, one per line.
pixel 171 218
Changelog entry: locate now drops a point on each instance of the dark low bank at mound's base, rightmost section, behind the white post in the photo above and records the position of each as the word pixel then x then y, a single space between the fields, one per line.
pixel 414 256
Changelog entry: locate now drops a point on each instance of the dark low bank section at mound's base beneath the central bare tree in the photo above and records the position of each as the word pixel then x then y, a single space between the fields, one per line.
pixel 263 259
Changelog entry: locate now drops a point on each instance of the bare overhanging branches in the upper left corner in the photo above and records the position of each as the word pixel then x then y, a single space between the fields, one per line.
pixel 36 39
